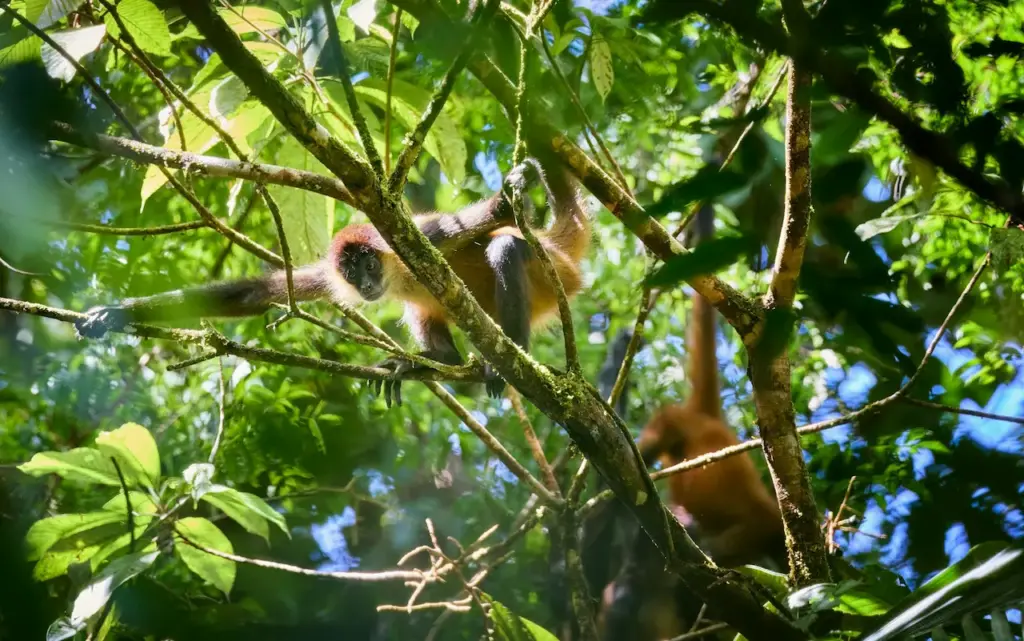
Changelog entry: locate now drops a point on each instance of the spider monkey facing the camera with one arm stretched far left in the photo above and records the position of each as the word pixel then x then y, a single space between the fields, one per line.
pixel 481 243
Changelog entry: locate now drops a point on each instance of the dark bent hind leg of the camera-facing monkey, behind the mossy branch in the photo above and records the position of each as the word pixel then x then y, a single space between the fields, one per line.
pixel 507 255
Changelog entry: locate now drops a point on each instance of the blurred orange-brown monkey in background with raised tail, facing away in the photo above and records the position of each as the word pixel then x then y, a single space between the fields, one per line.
pixel 736 519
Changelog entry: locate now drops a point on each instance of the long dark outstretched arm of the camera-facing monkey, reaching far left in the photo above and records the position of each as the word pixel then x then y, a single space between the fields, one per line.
pixel 233 298
